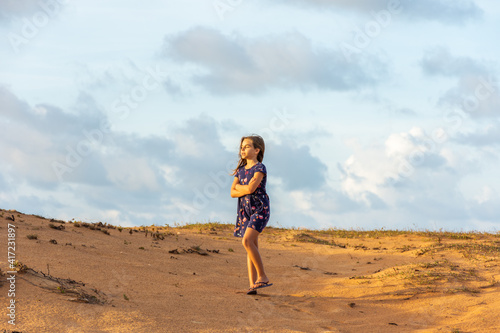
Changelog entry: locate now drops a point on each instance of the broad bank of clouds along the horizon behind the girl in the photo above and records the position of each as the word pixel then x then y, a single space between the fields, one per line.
pixel 184 175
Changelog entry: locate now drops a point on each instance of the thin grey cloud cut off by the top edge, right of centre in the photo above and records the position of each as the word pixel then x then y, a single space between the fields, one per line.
pixel 445 11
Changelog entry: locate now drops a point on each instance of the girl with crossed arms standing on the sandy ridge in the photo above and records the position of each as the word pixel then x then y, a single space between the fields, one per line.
pixel 249 186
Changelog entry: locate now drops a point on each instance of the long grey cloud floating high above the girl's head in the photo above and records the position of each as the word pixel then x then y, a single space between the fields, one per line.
pixel 234 64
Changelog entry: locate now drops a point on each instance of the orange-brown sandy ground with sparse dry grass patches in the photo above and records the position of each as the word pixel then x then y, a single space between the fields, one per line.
pixel 195 280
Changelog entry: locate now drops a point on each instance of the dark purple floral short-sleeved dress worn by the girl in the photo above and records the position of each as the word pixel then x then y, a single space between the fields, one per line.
pixel 253 209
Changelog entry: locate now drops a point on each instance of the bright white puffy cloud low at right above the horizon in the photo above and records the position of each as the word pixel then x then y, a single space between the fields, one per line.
pixel 413 176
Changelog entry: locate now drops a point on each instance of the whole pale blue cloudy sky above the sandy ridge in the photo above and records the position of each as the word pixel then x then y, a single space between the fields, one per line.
pixel 375 113
